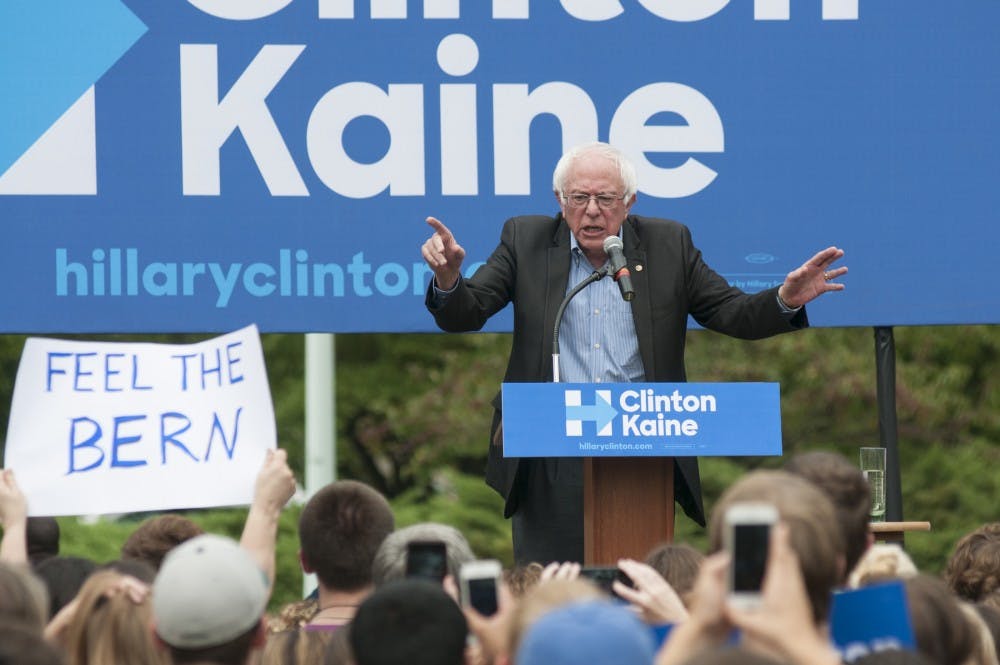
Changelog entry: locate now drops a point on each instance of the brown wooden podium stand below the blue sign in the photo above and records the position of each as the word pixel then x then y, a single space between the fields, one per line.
pixel 628 507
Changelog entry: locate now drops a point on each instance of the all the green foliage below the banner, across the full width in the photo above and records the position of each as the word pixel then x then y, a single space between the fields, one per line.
pixel 413 415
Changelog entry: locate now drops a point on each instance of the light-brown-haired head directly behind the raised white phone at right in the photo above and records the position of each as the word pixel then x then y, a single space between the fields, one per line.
pixel 808 513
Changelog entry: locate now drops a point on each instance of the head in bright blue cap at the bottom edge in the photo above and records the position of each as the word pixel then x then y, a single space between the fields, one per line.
pixel 595 632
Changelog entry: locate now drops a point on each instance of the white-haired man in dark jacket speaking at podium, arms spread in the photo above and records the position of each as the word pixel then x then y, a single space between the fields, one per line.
pixel 603 336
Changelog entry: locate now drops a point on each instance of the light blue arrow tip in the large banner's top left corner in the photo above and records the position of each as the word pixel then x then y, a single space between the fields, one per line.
pixel 51 53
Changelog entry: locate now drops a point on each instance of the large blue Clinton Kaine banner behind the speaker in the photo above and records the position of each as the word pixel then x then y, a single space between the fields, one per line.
pixel 199 165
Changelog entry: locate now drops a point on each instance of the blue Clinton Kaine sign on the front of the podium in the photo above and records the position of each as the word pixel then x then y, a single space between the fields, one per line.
pixel 641 419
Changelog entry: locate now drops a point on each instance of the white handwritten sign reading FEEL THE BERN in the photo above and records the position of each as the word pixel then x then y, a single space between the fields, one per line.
pixel 111 427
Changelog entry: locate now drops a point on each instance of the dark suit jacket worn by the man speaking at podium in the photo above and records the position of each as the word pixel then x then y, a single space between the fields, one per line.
pixel 530 268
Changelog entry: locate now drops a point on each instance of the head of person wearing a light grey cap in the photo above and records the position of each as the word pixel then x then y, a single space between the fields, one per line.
pixel 209 599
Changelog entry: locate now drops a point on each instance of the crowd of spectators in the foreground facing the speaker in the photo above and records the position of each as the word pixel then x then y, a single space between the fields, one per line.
pixel 179 595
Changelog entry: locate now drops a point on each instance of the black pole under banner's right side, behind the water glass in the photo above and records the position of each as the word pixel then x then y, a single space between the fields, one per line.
pixel 885 366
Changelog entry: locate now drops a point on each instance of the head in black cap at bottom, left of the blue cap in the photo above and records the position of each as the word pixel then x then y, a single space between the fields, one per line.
pixel 409 621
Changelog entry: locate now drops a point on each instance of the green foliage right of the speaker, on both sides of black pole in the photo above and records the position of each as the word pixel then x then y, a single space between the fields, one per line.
pixel 947 399
